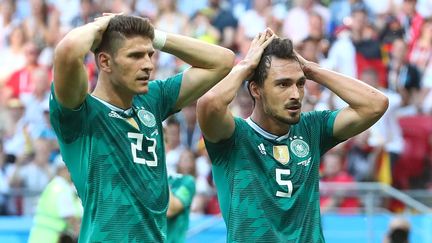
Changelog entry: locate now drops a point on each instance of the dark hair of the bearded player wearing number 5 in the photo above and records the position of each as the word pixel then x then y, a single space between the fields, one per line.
pixel 280 48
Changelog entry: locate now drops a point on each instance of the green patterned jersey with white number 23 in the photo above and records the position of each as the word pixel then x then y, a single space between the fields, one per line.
pixel 118 170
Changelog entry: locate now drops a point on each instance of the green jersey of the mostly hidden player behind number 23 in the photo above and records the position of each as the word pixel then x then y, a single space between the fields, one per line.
pixel 183 188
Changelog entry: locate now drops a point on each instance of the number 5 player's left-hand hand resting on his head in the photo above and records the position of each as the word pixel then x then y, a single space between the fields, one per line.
pixel 256 49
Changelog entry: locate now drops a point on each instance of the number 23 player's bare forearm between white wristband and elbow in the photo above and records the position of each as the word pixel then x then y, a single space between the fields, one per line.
pixel 198 53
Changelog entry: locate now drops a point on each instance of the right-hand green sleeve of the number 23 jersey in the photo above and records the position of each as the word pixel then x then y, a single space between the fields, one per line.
pixel 165 93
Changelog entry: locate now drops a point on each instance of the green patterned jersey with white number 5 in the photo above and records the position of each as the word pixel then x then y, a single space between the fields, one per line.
pixel 268 186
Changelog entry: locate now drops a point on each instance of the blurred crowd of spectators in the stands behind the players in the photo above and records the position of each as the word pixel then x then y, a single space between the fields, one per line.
pixel 386 43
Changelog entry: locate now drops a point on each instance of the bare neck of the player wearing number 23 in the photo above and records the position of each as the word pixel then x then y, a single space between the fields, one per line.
pixel 112 95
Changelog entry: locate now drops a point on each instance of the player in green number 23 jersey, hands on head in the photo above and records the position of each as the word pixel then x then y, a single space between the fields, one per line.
pixel 111 140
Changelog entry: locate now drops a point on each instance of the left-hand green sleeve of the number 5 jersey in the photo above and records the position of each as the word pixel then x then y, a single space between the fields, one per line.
pixel 220 152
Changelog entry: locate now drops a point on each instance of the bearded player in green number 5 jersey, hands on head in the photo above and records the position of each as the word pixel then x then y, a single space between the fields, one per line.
pixel 266 166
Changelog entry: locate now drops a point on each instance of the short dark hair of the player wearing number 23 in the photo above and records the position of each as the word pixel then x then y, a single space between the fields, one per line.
pixel 122 27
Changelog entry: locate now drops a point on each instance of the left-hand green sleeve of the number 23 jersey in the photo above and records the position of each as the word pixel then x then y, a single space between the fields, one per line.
pixel 67 123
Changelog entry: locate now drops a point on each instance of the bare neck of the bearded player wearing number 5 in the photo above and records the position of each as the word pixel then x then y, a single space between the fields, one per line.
pixel 269 124
